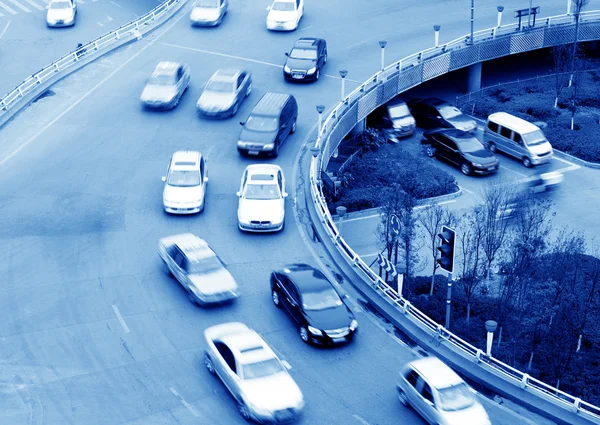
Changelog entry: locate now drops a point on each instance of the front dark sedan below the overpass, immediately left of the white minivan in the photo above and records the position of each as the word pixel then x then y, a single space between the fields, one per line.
pixel 461 149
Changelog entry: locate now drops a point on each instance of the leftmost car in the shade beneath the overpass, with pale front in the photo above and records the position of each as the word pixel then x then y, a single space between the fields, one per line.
pixel 393 119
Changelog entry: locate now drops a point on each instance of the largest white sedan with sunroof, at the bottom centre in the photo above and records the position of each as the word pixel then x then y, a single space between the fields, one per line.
pixel 253 374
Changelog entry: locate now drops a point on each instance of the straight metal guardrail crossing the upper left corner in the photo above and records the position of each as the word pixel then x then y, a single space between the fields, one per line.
pixel 131 29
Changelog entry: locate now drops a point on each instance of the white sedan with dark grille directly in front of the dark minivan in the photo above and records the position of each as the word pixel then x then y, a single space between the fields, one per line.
pixel 262 194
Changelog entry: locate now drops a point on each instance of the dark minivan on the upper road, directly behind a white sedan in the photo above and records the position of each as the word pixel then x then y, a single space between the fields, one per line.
pixel 270 122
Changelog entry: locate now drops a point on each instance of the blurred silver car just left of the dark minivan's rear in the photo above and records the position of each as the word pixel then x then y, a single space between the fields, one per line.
pixel 224 93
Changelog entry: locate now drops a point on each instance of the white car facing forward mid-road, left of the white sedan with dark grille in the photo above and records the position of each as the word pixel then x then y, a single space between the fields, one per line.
pixel 185 183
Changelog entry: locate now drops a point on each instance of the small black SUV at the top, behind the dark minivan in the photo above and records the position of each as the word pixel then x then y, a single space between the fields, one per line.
pixel 305 60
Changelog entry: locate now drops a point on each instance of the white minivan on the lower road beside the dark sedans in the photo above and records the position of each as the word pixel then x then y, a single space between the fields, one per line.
pixel 518 138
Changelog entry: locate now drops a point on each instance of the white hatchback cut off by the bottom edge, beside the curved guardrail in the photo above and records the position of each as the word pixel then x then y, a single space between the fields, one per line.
pixel 438 394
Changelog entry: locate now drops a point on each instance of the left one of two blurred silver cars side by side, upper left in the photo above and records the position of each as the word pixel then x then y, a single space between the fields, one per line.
pixel 166 85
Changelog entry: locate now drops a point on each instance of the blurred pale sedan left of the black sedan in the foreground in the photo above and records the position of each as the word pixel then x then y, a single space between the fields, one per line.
pixel 197 268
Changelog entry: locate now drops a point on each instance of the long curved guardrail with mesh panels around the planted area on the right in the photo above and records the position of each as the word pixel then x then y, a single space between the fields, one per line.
pixel 412 71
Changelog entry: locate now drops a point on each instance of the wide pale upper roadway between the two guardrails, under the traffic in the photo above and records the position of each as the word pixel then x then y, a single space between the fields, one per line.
pixel 94 332
